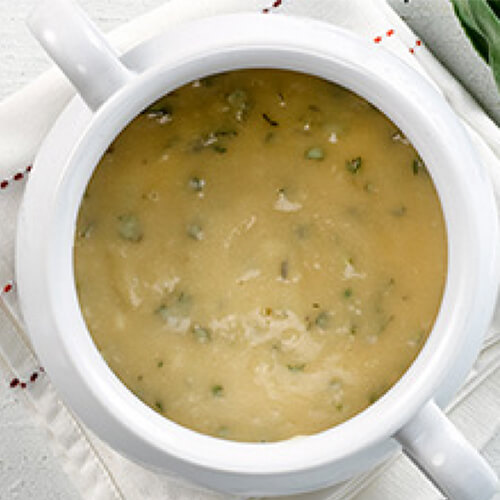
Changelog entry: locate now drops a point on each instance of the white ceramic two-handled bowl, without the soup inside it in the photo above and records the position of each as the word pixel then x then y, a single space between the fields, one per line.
pixel 111 94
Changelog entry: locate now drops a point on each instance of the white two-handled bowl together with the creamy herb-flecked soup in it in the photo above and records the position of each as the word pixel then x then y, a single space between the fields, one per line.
pixel 229 263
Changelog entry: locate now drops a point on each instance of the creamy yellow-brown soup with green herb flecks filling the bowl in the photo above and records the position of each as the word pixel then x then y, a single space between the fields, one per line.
pixel 260 254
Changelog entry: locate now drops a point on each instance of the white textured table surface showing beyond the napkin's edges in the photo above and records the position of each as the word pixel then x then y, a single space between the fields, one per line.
pixel 28 467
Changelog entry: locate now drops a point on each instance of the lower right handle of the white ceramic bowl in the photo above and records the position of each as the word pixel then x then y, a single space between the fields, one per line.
pixel 446 457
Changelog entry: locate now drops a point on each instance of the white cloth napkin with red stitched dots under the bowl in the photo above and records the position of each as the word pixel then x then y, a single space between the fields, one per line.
pixel 97 471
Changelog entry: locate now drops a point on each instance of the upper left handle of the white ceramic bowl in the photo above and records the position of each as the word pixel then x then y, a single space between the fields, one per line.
pixel 79 49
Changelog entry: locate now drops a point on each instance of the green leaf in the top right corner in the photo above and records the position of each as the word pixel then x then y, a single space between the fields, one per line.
pixel 480 19
